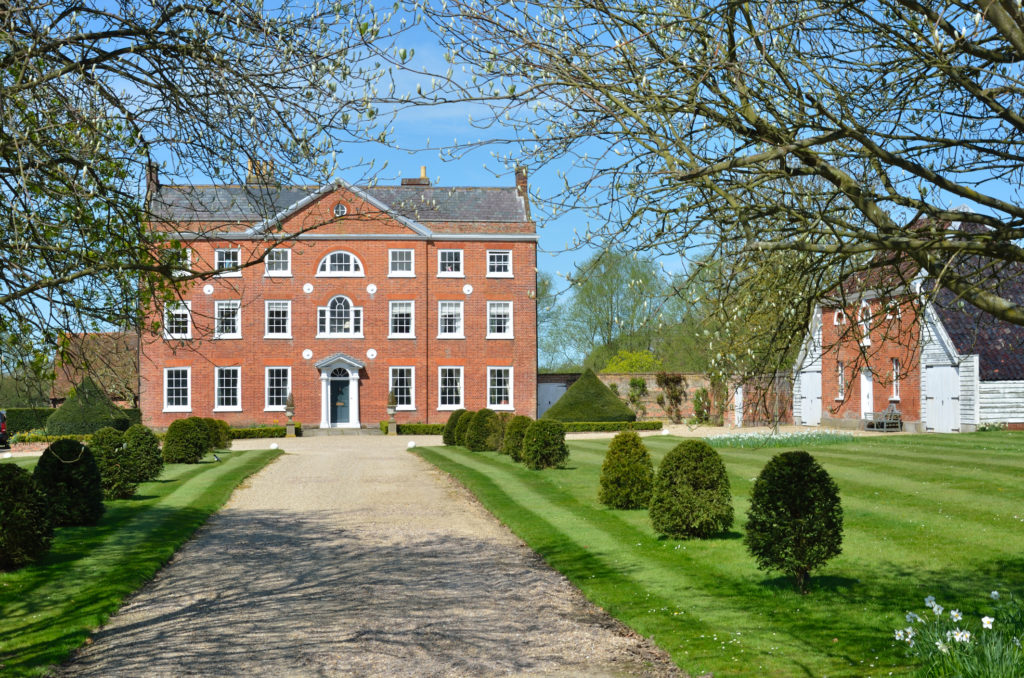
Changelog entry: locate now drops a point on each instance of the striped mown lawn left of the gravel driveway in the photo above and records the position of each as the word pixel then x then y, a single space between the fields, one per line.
pixel 49 609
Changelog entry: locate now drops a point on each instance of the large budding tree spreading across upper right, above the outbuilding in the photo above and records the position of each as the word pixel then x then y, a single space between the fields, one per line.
pixel 849 140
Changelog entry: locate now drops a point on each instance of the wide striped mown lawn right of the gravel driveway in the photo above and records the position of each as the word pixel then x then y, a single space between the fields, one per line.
pixel 925 516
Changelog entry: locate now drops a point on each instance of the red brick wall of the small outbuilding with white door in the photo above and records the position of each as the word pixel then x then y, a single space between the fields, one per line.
pixel 892 334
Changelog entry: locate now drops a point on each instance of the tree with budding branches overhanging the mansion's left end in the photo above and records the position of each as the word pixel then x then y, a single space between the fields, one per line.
pixel 95 97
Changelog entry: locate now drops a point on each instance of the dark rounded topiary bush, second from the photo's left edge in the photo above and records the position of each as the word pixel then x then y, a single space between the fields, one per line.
pixel 68 475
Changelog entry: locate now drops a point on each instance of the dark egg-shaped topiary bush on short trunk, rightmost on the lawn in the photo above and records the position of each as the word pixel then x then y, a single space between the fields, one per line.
pixel 795 523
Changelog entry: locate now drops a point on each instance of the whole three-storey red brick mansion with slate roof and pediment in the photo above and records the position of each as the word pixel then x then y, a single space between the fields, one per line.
pixel 423 291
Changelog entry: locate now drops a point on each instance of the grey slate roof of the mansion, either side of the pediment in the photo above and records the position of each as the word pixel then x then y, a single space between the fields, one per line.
pixel 254 203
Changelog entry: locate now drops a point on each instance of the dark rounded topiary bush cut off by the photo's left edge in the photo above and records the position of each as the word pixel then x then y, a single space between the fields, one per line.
pixel 26 526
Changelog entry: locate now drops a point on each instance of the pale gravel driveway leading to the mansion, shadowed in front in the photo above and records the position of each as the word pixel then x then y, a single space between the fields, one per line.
pixel 350 557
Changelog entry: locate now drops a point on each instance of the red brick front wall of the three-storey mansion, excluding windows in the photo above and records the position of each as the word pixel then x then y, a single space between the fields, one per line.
pixel 374 234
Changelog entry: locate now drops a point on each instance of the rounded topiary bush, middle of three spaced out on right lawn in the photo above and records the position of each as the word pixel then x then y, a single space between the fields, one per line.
pixel 692 496
